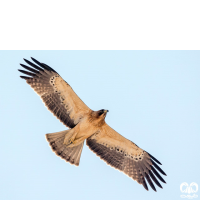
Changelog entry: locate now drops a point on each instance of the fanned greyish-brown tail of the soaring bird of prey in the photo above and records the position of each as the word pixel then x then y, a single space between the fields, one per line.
pixel 70 154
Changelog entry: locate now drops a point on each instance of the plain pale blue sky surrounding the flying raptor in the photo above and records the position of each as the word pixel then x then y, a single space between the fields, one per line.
pixel 153 98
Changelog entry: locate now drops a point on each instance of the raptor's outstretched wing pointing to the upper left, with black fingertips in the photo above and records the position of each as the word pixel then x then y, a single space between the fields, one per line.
pixel 57 94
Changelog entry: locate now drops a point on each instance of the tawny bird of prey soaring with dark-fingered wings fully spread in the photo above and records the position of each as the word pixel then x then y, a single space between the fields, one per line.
pixel 86 124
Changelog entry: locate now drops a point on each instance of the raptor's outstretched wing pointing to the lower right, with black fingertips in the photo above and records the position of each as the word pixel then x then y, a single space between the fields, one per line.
pixel 124 155
